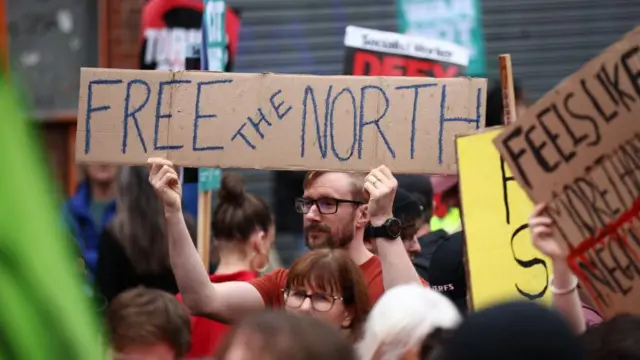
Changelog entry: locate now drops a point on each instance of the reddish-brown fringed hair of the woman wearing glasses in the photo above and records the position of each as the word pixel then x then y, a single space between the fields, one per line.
pixel 332 271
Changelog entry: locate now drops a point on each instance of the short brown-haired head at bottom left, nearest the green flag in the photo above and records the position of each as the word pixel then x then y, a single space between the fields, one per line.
pixel 148 324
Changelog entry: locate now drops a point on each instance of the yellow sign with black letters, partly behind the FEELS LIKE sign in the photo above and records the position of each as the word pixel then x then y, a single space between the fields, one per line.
pixel 503 264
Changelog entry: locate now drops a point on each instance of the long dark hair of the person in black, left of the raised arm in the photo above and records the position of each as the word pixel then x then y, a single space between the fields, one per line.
pixel 139 223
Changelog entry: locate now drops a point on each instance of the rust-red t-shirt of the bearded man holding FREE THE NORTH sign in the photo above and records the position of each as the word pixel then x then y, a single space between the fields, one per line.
pixel 270 286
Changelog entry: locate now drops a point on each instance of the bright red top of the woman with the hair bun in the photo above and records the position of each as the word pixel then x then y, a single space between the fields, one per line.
pixel 206 334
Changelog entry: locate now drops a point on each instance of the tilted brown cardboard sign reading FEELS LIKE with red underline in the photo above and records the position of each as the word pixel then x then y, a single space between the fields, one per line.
pixel 579 149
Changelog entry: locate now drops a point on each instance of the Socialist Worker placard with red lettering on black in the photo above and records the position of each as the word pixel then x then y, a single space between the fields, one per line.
pixel 373 52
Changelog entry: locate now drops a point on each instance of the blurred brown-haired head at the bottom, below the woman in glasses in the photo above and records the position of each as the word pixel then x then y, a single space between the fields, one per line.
pixel 272 335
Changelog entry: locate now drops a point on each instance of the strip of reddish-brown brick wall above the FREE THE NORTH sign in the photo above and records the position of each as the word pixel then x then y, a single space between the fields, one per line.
pixel 122 33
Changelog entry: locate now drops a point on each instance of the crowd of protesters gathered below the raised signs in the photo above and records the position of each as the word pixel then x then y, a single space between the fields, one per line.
pixel 377 282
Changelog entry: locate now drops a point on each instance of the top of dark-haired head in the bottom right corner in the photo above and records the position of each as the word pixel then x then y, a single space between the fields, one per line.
pixel 616 339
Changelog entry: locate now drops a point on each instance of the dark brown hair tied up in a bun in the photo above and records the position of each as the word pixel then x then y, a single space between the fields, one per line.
pixel 238 214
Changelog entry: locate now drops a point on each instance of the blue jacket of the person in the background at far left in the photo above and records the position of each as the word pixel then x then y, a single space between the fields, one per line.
pixel 86 233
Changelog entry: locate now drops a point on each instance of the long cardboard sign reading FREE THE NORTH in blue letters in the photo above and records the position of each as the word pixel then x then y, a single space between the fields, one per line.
pixel 268 121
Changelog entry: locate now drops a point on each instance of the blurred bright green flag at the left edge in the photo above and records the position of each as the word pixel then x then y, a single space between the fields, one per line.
pixel 44 313
